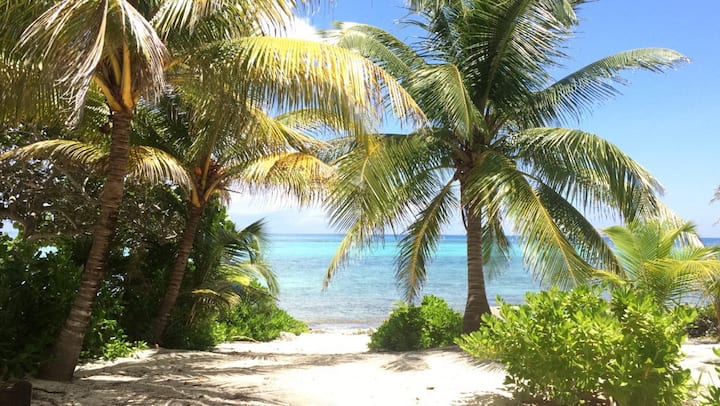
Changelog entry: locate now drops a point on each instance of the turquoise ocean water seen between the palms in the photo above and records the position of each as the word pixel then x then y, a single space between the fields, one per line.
pixel 363 293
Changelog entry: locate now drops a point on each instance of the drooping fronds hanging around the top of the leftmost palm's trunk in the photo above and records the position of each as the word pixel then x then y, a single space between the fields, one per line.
pixel 76 40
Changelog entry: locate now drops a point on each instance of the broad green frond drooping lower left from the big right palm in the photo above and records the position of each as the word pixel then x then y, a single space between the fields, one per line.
pixel 380 188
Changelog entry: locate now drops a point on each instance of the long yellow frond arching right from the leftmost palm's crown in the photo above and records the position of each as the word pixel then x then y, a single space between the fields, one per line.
pixel 305 74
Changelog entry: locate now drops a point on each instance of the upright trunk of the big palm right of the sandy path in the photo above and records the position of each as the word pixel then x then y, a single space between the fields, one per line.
pixel 477 303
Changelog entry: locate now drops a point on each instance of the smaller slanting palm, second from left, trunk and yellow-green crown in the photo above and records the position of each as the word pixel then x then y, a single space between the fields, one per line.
pixel 252 151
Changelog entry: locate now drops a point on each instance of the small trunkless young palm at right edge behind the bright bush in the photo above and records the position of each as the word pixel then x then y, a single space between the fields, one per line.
pixel 660 259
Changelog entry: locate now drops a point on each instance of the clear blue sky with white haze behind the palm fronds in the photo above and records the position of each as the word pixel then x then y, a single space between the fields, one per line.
pixel 664 121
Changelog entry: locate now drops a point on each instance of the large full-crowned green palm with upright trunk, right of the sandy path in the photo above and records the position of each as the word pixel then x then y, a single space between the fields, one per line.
pixel 482 75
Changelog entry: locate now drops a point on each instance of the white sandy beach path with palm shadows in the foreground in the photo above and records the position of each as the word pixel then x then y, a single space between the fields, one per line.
pixel 318 368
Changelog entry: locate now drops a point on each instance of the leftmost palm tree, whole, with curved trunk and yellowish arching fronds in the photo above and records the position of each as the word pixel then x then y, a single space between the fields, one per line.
pixel 130 51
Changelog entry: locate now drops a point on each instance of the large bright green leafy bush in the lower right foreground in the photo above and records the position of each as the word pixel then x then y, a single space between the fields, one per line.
pixel 574 347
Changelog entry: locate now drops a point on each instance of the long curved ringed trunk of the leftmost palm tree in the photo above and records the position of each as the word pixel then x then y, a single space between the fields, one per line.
pixel 67 348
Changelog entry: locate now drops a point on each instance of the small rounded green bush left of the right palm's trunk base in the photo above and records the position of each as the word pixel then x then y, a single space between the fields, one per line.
pixel 432 324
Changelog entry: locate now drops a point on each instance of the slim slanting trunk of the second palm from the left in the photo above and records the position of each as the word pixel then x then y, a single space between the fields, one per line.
pixel 178 272
